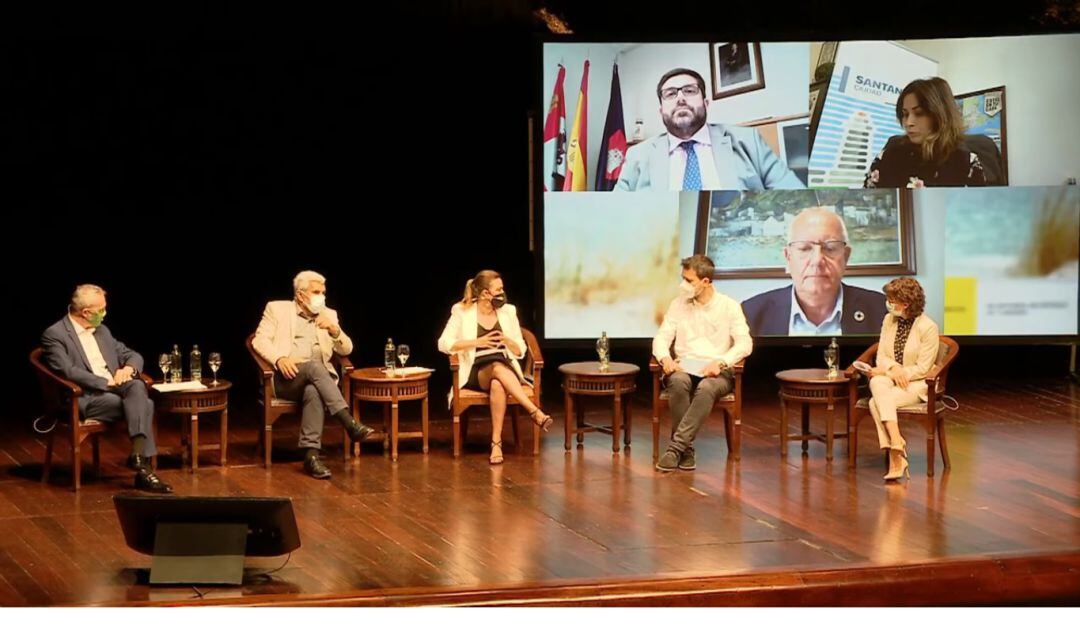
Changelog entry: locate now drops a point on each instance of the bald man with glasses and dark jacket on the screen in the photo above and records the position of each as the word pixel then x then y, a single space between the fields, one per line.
pixel 818 303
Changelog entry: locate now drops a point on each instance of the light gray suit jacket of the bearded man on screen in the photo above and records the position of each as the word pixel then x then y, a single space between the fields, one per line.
pixel 745 162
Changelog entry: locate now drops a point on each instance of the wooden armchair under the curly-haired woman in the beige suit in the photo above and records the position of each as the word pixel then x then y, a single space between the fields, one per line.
pixel 934 420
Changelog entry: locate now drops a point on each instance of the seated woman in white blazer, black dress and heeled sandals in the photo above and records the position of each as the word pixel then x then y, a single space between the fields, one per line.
pixel 484 333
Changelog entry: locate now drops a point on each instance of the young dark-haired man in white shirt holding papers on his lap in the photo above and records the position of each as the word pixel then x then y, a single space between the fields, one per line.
pixel 711 336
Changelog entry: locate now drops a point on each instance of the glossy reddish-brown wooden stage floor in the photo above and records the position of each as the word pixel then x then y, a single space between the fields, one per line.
pixel 592 528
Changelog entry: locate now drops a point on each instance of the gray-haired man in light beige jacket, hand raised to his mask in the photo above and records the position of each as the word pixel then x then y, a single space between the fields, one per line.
pixel 300 337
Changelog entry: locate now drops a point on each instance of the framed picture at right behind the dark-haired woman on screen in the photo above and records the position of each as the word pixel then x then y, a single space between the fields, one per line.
pixel 984 117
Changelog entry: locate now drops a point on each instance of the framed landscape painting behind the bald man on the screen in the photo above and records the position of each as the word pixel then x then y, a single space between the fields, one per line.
pixel 746 234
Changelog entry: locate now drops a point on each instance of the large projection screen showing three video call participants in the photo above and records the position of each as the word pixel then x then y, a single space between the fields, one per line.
pixel 813 174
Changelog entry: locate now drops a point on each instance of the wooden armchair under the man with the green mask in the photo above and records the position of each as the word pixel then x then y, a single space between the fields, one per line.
pixel 61 398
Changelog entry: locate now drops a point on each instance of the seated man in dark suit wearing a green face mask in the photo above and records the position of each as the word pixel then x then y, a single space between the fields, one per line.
pixel 82 349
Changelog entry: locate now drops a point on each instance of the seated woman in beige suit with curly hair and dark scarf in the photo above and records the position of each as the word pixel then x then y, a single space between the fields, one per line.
pixel 907 352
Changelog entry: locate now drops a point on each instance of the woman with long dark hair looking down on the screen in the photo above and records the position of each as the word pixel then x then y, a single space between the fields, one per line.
pixel 934 151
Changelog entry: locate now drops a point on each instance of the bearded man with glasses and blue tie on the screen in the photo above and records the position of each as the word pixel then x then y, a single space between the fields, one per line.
pixel 694 156
